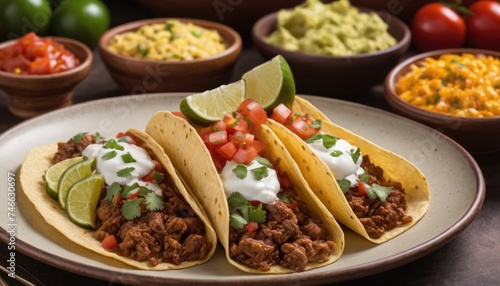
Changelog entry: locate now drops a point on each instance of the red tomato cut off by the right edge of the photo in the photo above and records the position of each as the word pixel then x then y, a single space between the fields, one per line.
pixel 483 26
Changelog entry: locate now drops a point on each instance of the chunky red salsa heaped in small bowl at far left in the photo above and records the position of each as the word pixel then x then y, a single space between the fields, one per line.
pixel 35 55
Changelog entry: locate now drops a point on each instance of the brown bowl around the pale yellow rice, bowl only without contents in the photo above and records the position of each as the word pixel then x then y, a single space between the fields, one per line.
pixel 137 76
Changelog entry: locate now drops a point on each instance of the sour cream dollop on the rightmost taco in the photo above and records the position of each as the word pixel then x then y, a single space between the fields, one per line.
pixel 340 159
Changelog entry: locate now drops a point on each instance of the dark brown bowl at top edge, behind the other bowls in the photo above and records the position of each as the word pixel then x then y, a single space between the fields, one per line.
pixel 240 14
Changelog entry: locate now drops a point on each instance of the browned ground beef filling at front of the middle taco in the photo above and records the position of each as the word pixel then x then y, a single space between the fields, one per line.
pixel 289 238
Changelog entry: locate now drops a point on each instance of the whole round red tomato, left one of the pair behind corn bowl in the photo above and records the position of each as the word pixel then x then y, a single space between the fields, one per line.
pixel 436 26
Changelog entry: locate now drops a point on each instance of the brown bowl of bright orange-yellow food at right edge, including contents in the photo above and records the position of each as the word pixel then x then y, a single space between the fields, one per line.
pixel 455 91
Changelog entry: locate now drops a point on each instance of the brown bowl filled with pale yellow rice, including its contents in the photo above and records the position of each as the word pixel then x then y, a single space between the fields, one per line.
pixel 170 55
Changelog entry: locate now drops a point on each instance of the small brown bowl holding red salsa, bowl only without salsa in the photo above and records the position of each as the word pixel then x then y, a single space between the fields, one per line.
pixel 32 95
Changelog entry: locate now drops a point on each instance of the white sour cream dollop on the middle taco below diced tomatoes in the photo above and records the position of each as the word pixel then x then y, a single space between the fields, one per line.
pixel 264 190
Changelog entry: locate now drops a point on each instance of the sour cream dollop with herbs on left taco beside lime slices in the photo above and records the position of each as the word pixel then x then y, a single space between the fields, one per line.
pixel 117 164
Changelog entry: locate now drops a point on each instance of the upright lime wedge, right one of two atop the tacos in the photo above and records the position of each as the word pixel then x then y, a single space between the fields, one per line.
pixel 271 83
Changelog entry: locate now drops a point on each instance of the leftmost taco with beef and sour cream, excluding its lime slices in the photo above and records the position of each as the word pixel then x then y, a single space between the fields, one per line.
pixel 146 219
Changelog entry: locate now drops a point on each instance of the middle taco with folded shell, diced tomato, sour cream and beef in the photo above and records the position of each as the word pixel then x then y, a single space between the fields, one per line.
pixel 264 213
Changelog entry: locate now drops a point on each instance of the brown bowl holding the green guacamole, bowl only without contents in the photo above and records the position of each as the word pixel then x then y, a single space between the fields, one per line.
pixel 338 77
